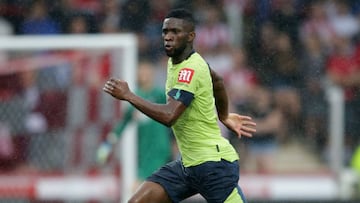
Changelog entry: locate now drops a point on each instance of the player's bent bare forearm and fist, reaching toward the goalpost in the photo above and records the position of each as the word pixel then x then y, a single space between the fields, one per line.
pixel 166 114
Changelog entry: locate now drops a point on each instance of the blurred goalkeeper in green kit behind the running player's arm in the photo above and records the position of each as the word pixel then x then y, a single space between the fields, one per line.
pixel 154 143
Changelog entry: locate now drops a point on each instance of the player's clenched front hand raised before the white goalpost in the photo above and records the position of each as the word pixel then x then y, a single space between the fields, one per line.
pixel 117 88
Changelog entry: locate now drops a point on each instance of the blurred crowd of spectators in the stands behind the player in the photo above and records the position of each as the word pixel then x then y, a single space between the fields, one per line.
pixel 277 56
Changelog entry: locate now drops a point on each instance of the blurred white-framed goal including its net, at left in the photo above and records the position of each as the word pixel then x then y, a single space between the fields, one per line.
pixel 54 114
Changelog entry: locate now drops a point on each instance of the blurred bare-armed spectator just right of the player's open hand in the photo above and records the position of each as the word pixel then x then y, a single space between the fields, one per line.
pixel 271 126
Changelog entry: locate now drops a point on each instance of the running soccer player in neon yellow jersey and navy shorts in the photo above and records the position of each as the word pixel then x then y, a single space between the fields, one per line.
pixel 209 164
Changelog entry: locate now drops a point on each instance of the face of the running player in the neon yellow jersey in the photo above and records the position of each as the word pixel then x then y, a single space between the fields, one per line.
pixel 175 35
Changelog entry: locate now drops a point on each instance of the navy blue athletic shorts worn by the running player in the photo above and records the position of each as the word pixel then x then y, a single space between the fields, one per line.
pixel 217 181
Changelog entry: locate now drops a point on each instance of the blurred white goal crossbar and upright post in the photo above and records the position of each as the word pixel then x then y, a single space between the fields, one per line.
pixel 126 42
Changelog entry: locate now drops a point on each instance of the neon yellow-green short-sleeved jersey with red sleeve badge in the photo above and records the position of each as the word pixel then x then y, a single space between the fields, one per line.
pixel 197 131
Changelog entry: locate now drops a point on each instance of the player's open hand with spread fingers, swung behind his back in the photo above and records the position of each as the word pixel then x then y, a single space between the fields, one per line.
pixel 241 125
